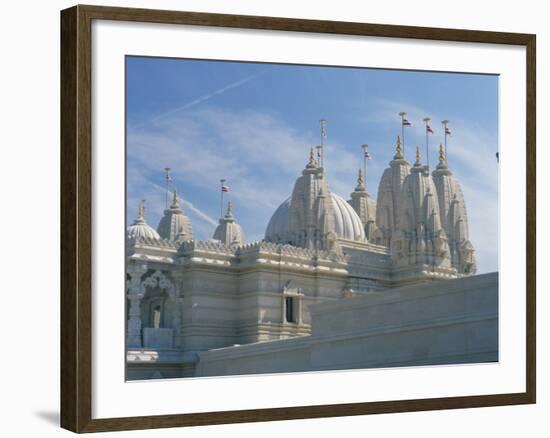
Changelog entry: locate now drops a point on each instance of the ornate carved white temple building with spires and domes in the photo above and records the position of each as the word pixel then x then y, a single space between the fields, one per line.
pixel 188 296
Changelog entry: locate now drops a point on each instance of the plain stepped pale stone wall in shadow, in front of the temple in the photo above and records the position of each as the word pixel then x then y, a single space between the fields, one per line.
pixel 437 322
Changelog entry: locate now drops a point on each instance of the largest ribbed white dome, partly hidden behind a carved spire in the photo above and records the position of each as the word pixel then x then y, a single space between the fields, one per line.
pixel 346 221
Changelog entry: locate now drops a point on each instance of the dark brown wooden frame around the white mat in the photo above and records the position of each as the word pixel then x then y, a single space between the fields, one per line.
pixel 76 217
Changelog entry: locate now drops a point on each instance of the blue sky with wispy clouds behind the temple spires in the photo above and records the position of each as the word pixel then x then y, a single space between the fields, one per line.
pixel 253 124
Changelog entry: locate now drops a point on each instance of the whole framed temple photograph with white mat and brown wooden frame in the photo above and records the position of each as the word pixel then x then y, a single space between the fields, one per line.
pixel 305 218
